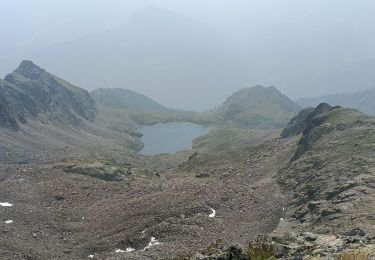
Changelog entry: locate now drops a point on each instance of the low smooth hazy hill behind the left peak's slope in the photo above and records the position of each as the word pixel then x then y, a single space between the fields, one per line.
pixel 127 99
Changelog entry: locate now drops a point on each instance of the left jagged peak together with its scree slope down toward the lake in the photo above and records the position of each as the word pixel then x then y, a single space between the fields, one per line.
pixel 43 116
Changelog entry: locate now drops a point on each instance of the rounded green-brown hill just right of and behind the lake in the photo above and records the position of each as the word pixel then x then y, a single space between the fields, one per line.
pixel 256 106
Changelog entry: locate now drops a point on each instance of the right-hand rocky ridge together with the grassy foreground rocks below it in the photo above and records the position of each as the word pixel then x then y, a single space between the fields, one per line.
pixel 327 185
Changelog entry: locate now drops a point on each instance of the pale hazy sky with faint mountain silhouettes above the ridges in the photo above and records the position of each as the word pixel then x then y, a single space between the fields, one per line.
pixel 193 53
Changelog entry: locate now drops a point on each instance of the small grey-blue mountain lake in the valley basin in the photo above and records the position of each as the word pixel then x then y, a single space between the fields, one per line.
pixel 170 137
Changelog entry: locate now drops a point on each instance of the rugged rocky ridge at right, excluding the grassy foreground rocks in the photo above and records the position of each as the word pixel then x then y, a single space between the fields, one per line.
pixel 331 172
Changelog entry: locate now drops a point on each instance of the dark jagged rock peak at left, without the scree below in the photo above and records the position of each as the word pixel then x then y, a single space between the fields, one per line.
pixel 31 92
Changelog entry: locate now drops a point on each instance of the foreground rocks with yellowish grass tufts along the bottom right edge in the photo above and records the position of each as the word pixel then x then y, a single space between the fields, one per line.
pixel 304 245
